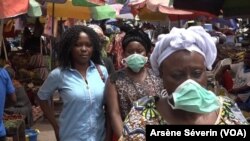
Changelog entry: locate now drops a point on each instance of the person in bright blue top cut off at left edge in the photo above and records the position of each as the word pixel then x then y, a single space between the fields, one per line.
pixel 7 89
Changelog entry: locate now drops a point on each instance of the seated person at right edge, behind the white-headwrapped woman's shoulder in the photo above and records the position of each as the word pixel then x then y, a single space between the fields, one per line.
pixel 241 86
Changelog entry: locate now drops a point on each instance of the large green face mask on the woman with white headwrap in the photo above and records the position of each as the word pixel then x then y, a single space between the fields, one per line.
pixel 192 97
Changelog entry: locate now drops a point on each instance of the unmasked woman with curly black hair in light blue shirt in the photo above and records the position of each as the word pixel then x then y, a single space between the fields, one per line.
pixel 80 80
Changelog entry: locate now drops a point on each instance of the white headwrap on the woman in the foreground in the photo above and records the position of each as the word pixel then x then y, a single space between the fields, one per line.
pixel 195 38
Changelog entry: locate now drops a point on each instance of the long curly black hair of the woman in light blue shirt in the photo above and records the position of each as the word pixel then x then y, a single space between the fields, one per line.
pixel 68 41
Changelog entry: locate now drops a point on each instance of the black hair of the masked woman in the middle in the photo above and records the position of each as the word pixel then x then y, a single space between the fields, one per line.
pixel 139 36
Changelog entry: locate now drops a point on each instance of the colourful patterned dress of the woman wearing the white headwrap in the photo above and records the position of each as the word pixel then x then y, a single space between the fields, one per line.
pixel 144 113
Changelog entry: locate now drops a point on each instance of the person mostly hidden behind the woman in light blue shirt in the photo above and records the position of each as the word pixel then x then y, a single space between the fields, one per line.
pixel 105 59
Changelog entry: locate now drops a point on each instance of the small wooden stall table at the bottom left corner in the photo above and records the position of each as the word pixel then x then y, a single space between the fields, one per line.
pixel 15 127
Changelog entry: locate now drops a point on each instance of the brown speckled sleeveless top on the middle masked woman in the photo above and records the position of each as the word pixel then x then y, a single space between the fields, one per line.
pixel 129 91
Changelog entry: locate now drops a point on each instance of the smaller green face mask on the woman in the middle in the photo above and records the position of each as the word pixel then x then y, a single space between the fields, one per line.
pixel 135 62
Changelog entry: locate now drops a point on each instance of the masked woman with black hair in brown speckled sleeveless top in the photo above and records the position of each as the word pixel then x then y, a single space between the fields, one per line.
pixel 133 82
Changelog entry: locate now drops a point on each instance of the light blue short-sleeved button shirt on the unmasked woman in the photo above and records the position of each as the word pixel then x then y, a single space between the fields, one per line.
pixel 82 117
